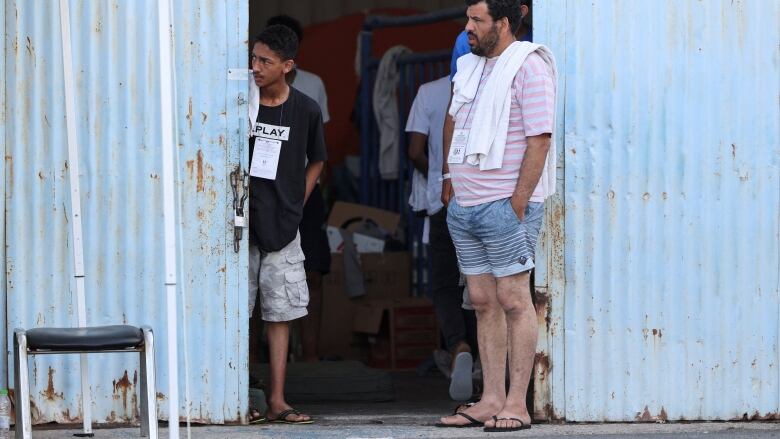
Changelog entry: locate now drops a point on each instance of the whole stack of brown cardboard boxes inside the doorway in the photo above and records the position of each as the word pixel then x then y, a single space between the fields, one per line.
pixel 385 327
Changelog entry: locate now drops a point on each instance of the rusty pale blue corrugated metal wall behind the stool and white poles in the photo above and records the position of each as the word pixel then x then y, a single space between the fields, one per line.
pixel 115 49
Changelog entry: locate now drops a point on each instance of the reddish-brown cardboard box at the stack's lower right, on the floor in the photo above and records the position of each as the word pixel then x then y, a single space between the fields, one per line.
pixel 402 332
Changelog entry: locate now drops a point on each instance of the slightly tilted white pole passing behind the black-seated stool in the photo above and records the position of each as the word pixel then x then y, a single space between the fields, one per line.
pixel 75 203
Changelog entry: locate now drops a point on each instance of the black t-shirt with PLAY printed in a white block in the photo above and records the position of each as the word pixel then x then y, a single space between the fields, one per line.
pixel 276 206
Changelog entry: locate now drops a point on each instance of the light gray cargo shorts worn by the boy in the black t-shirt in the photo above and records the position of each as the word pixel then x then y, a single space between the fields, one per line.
pixel 281 281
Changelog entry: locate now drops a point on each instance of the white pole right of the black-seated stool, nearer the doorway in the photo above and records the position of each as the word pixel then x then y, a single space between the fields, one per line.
pixel 169 212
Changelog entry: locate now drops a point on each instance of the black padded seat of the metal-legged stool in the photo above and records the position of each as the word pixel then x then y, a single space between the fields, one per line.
pixel 95 338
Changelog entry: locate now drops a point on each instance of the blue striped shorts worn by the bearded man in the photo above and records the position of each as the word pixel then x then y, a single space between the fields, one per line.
pixel 489 238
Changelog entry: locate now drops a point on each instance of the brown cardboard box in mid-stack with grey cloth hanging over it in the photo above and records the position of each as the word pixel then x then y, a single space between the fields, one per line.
pixel 387 276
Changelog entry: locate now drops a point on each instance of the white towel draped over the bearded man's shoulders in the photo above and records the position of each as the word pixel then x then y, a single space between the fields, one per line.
pixel 490 125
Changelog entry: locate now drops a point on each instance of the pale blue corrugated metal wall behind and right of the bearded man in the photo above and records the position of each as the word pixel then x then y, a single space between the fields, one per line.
pixel 672 204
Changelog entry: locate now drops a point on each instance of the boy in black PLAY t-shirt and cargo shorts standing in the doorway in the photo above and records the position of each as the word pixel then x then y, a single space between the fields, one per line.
pixel 287 132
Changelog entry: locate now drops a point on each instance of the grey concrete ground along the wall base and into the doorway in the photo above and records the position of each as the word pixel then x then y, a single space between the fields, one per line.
pixel 413 414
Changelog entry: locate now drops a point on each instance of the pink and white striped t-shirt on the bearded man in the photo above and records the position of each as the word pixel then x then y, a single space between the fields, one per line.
pixel 531 114
